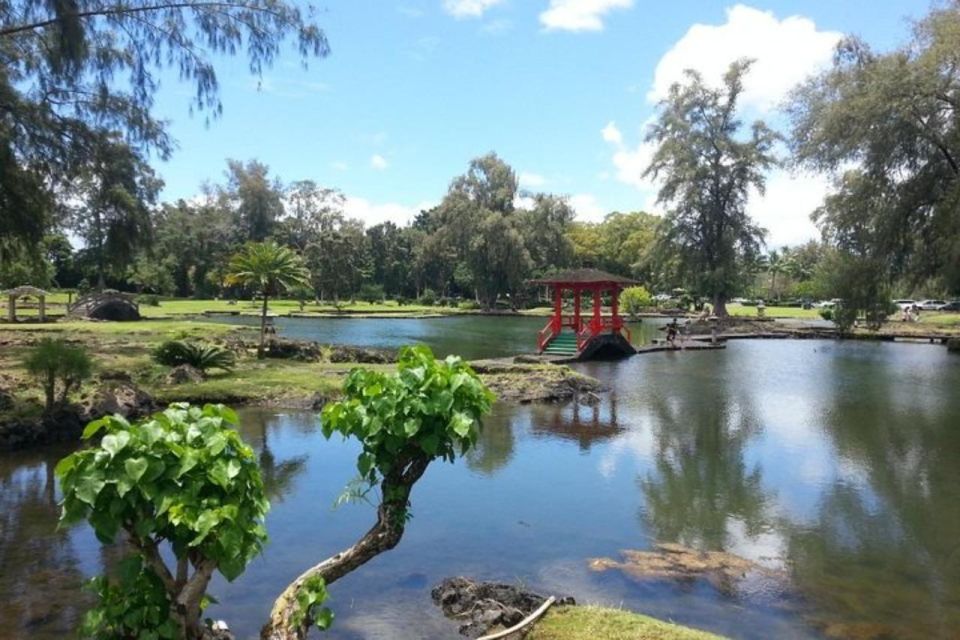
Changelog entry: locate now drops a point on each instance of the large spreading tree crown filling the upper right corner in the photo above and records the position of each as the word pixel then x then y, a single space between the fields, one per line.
pixel 887 128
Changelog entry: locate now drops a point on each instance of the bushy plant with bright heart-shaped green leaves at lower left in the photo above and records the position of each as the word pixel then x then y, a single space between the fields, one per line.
pixel 181 479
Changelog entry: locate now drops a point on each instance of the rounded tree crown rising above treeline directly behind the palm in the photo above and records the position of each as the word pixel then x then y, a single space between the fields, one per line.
pixel 255 200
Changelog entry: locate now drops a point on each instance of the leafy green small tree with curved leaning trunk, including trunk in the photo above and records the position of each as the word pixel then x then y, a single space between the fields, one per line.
pixel 427 409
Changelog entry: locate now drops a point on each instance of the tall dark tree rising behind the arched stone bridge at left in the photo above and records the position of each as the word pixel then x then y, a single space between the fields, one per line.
pixel 112 210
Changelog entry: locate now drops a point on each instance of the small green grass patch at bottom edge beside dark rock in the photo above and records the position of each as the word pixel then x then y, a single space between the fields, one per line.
pixel 593 623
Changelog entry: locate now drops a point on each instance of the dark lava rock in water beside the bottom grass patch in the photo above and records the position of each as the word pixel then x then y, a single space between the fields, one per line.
pixel 483 606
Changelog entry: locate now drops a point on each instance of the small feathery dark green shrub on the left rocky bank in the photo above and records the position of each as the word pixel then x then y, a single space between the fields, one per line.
pixel 58 364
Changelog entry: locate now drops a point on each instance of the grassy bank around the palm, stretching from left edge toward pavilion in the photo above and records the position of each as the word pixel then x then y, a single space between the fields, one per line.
pixel 126 347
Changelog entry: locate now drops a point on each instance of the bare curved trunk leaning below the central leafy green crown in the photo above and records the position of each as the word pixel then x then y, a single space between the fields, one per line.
pixel 383 536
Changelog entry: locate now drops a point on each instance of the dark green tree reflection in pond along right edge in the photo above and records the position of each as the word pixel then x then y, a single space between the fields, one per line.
pixel 886 538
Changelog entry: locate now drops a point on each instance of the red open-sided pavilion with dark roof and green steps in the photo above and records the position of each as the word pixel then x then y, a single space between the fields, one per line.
pixel 582 336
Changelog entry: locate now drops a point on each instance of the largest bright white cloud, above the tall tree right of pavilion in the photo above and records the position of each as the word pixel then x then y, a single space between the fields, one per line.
pixel 786 51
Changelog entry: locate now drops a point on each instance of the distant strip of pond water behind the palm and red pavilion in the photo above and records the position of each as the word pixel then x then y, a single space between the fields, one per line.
pixel 470 336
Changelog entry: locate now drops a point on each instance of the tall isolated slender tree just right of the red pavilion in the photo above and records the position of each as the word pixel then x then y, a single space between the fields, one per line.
pixel 706 172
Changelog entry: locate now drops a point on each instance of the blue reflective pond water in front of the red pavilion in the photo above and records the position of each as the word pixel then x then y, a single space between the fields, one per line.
pixel 832 465
